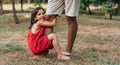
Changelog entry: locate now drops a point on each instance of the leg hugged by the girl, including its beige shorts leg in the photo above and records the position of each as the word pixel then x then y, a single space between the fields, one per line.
pixel 54 7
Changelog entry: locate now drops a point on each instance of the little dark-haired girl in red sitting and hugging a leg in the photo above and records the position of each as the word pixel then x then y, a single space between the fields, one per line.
pixel 37 41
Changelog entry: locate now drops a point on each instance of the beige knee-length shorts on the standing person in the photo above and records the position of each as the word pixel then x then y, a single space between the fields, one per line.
pixel 57 6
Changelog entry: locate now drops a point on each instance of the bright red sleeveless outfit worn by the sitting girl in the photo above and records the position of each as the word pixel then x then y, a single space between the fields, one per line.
pixel 38 43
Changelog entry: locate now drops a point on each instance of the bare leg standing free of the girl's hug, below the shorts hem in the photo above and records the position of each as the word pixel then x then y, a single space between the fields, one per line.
pixel 72 31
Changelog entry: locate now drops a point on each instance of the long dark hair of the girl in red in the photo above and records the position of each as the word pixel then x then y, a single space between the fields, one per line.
pixel 34 13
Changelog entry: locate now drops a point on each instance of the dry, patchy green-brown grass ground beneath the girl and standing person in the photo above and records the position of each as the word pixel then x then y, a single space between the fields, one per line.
pixel 97 42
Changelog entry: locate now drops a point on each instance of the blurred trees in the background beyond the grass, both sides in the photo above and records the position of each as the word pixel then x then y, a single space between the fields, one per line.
pixel 90 7
